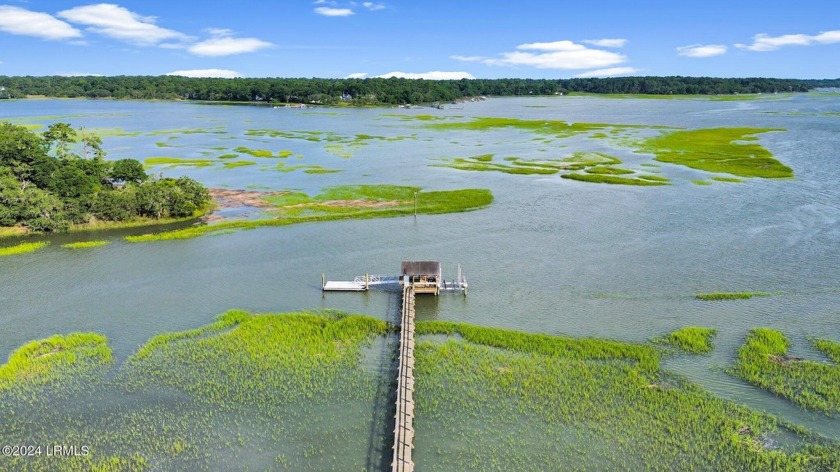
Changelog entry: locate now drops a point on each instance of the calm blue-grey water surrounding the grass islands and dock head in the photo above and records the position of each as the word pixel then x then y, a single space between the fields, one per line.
pixel 551 255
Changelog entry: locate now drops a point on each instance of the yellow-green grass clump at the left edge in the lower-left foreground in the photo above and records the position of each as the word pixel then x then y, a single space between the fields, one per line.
pixel 46 360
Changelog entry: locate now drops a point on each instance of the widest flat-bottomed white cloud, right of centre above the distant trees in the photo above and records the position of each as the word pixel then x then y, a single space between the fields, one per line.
pixel 552 55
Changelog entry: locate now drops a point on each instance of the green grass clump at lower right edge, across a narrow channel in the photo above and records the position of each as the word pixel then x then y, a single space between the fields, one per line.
pixel 763 361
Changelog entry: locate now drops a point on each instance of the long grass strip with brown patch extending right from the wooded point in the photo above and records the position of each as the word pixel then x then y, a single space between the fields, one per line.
pixel 343 202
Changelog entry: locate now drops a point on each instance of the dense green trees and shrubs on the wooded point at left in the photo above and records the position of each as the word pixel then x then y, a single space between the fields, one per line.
pixel 53 180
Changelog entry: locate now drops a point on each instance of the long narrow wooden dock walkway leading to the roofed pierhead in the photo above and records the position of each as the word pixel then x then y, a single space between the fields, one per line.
pixel 404 430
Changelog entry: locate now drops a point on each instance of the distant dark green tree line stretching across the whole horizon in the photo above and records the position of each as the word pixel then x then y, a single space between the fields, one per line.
pixel 378 91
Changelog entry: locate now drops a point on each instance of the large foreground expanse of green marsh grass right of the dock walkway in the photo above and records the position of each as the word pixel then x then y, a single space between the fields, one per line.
pixel 503 400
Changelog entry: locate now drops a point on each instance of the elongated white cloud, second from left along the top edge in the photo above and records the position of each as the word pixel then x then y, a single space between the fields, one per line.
pixel 119 23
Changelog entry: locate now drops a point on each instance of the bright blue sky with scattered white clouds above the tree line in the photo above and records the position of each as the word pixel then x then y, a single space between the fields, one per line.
pixel 431 39
